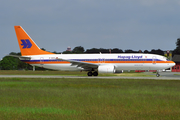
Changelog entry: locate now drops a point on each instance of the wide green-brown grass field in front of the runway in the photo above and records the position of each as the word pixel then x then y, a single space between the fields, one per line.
pixel 79 99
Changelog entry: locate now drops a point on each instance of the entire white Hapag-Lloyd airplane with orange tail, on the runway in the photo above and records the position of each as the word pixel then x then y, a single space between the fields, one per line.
pixel 92 63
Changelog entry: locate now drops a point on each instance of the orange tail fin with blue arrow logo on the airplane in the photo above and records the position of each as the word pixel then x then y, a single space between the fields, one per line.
pixel 26 44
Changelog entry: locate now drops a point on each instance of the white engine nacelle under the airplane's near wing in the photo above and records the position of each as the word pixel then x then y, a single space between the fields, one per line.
pixel 106 69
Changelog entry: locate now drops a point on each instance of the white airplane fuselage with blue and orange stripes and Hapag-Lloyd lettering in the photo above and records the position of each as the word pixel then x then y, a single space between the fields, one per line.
pixel 120 61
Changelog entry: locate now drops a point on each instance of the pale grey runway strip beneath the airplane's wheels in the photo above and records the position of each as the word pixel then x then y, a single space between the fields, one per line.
pixel 164 76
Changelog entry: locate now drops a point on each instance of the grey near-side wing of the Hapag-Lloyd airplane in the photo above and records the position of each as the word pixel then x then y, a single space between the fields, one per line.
pixel 85 65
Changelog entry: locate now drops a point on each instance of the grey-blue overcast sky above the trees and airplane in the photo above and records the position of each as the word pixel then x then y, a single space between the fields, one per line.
pixel 123 24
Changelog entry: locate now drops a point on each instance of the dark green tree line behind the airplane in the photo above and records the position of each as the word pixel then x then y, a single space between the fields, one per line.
pixel 12 63
